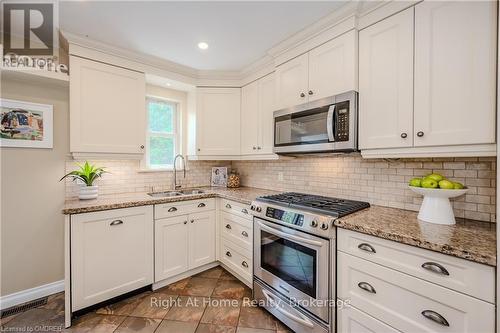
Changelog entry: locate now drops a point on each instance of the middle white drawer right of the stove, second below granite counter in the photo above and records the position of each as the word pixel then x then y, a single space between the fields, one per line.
pixel 401 300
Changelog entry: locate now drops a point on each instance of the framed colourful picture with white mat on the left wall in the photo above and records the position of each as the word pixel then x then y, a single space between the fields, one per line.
pixel 25 124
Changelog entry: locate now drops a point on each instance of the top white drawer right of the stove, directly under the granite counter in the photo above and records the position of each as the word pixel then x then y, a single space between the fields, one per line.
pixel 464 276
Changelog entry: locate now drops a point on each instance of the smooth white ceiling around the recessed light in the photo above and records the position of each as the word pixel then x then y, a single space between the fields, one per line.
pixel 238 33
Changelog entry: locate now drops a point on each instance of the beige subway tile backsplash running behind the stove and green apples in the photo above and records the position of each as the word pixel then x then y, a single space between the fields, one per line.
pixel 380 182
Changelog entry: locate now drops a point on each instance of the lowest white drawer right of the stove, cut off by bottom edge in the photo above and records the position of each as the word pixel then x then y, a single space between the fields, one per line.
pixel 352 320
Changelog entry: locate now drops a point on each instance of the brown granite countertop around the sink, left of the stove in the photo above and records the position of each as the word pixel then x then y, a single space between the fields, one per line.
pixel 105 202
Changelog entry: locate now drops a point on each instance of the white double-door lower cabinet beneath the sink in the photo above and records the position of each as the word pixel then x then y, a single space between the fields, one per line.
pixel 183 243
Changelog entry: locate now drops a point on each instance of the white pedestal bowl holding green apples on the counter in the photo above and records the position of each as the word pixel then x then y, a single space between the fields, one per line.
pixel 436 207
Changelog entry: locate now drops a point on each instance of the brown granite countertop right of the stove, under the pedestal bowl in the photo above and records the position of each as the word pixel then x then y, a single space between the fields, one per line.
pixel 471 240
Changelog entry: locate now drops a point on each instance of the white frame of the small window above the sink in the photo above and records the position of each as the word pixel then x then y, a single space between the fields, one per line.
pixel 175 133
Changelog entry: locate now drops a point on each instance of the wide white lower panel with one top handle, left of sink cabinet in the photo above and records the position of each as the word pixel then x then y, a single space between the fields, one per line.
pixel 111 254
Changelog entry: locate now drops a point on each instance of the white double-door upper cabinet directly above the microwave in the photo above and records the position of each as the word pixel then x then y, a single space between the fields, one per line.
pixel 326 70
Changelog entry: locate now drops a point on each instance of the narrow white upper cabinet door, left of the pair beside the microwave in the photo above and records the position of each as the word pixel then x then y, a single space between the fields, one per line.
pixel 250 118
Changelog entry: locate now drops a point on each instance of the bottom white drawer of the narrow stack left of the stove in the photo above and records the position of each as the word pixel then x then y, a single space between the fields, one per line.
pixel 236 258
